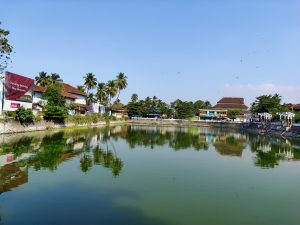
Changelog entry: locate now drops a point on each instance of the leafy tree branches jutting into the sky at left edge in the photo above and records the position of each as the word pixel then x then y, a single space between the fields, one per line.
pixel 5 49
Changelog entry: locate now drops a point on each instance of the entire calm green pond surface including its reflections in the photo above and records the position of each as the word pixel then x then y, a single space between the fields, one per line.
pixel 149 175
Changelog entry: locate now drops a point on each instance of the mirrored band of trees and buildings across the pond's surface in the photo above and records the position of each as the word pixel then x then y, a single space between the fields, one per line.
pixel 96 147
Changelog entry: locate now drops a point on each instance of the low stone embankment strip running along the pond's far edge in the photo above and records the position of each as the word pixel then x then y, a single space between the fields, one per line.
pixel 14 127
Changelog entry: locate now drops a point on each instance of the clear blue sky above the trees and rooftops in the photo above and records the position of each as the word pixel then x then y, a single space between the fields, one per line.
pixel 168 48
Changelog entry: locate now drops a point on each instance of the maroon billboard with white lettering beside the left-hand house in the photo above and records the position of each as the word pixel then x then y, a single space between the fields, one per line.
pixel 18 87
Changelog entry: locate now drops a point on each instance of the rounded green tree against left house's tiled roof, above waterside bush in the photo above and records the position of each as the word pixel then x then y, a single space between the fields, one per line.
pixel 53 95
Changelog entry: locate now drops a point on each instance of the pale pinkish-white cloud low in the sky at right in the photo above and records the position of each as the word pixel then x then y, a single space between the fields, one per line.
pixel 289 93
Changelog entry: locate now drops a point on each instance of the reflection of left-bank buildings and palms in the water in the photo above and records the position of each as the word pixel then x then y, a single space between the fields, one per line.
pixel 49 151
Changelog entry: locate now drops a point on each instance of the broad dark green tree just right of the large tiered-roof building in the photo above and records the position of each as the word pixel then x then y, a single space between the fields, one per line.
pixel 268 103
